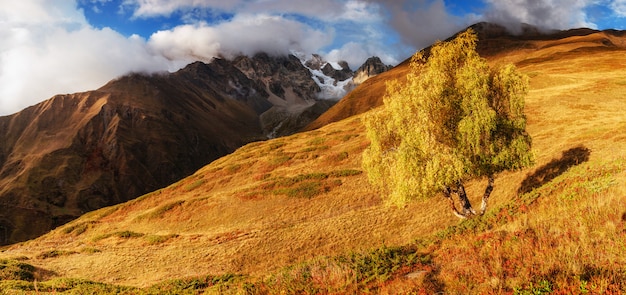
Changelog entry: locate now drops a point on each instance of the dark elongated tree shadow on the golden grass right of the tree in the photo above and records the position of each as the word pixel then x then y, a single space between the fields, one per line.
pixel 556 167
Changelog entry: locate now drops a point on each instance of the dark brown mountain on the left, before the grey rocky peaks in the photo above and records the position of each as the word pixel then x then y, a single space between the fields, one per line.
pixel 79 152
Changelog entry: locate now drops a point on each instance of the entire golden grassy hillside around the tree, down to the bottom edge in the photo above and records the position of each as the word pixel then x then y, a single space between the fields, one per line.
pixel 297 215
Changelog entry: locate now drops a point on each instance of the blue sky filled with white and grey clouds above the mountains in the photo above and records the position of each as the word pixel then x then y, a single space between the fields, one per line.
pixel 66 46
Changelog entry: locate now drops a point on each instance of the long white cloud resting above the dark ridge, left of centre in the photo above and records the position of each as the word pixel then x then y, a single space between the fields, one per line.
pixel 244 34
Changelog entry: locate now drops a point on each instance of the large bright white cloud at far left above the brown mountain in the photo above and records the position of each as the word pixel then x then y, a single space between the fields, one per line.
pixel 48 48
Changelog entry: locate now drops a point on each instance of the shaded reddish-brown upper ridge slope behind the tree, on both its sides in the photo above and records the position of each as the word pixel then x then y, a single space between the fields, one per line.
pixel 495 43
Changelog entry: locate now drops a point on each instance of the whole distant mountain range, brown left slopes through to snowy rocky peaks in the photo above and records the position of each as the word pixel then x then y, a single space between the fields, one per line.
pixel 78 152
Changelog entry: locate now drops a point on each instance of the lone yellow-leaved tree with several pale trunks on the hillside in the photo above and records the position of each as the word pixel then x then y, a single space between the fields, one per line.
pixel 455 119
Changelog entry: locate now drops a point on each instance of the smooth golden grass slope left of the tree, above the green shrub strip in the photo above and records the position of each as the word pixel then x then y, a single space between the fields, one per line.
pixel 267 205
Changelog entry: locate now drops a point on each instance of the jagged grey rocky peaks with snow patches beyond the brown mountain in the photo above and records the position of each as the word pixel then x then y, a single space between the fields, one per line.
pixel 300 88
